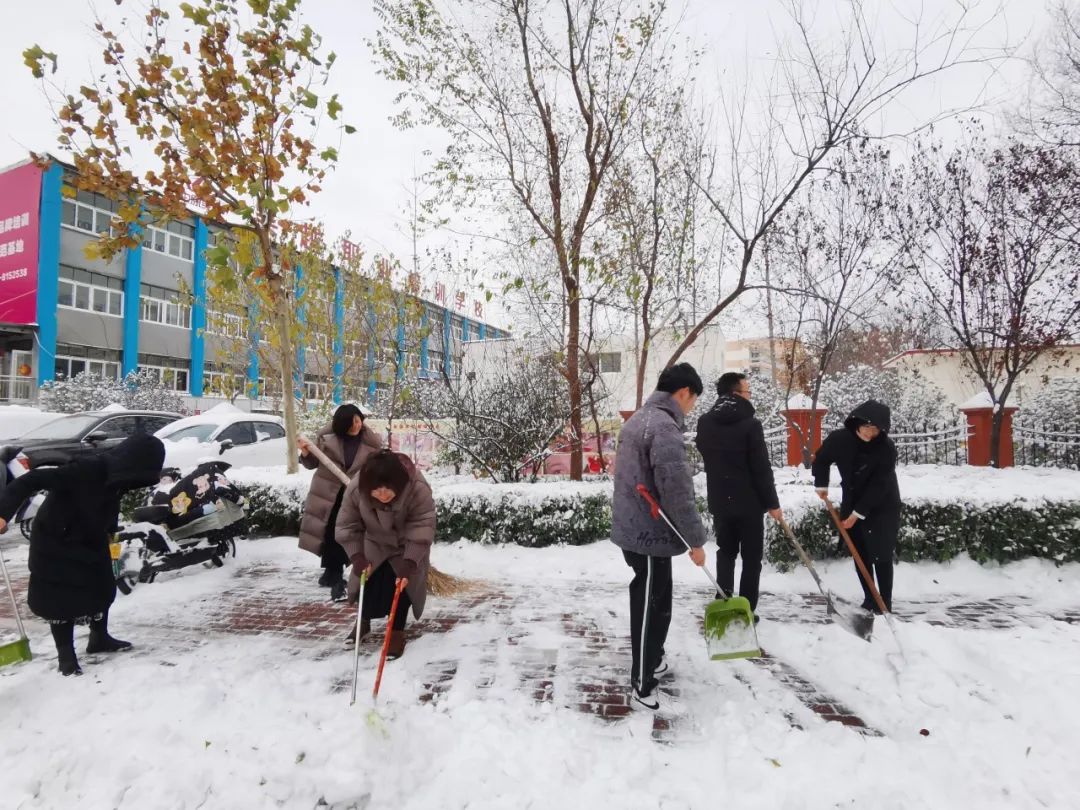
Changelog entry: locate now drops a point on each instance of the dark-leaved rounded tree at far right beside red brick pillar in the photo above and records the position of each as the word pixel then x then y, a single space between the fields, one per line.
pixel 994 250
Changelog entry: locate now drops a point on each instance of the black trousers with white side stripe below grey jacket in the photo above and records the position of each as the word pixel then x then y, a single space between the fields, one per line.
pixel 651 616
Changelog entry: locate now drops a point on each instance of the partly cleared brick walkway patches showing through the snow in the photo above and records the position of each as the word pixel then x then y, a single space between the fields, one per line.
pixel 577 660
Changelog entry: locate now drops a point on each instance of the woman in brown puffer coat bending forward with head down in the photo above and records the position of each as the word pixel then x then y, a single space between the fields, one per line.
pixel 387 525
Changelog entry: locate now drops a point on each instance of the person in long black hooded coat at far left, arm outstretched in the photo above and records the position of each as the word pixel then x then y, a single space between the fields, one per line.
pixel 72 580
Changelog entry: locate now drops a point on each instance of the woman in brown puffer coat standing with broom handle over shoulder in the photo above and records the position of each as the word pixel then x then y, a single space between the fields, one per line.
pixel 348 443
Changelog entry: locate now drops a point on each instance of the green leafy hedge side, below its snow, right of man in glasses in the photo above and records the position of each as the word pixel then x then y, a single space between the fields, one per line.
pixel 998 533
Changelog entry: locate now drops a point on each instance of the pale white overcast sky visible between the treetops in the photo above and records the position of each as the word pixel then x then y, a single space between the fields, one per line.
pixel 370 191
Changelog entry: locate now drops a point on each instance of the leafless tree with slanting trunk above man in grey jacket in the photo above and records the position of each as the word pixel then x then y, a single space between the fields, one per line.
pixel 821 99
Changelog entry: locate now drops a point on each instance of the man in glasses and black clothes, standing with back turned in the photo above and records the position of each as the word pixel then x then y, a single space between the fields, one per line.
pixel 739 477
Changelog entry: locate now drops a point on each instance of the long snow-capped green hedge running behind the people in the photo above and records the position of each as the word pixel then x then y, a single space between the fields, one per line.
pixel 990 515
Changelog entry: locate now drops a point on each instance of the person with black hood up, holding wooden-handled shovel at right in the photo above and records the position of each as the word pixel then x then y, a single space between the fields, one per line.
pixel 870 507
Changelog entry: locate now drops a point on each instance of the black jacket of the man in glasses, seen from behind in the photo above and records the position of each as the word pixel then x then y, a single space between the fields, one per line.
pixel 738 471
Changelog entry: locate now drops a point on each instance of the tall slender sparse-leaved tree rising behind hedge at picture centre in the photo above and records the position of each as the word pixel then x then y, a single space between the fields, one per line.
pixel 539 98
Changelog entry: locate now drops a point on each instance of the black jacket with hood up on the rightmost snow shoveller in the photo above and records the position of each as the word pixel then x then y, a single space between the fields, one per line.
pixel 868 469
